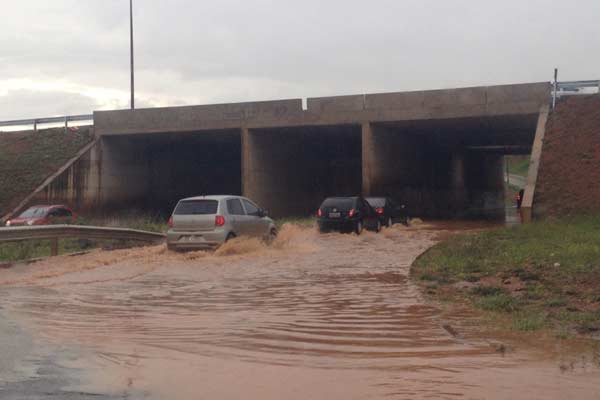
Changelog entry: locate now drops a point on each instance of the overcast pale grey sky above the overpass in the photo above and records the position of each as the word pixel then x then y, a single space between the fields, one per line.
pixel 72 56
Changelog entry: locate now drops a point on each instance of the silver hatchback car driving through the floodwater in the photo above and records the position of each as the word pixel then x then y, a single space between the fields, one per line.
pixel 209 221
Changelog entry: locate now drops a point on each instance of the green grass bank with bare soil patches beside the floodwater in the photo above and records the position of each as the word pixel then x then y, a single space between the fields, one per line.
pixel 545 275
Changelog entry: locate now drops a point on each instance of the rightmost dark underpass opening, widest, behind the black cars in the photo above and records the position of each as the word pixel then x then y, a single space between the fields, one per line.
pixel 445 168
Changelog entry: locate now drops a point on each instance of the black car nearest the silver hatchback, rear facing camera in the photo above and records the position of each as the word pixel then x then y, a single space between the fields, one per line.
pixel 347 214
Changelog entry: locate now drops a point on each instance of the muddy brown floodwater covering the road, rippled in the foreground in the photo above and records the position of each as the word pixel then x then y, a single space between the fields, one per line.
pixel 310 317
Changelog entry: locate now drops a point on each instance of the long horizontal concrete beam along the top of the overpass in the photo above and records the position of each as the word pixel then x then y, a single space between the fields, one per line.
pixel 324 111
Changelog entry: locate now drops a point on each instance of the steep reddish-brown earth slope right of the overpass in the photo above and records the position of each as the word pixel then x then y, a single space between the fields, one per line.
pixel 570 163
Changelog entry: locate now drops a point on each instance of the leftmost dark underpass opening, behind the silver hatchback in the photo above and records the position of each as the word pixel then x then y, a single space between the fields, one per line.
pixel 153 171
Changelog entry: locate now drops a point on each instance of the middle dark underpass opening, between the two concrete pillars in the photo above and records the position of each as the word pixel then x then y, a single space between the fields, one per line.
pixel 289 171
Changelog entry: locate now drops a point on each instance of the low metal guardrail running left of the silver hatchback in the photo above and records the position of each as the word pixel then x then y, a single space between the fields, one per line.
pixel 56 232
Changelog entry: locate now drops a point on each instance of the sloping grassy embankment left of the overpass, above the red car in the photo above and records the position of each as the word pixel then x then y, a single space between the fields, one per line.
pixel 27 158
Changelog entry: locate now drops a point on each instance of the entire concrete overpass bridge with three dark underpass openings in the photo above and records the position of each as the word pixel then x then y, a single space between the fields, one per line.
pixel 439 151
